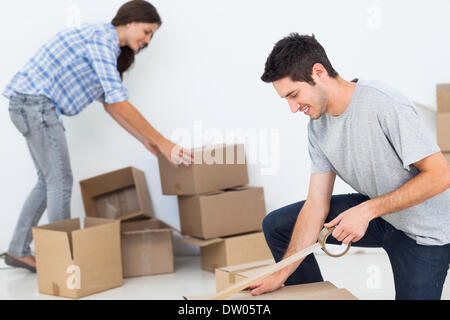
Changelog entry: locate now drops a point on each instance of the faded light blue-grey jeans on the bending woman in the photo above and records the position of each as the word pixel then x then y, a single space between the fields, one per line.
pixel 35 117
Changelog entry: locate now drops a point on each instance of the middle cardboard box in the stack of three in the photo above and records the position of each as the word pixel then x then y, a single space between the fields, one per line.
pixel 222 213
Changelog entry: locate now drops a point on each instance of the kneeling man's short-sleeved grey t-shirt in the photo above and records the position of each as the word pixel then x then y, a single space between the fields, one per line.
pixel 372 147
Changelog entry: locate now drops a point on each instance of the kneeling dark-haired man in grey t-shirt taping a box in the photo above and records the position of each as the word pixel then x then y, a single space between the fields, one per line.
pixel 372 137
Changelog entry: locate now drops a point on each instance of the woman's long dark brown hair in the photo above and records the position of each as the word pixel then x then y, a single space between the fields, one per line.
pixel 133 11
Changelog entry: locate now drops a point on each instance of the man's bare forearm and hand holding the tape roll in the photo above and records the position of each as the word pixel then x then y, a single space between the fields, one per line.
pixel 434 178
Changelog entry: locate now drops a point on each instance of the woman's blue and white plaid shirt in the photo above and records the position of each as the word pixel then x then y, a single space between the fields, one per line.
pixel 74 68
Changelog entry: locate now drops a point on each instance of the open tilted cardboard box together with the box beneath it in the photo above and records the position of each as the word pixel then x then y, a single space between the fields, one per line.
pixel 146 242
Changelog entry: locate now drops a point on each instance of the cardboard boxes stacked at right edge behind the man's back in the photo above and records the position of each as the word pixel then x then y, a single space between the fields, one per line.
pixel 443 119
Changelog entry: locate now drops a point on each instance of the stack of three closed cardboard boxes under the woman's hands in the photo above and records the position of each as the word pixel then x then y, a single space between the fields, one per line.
pixel 218 212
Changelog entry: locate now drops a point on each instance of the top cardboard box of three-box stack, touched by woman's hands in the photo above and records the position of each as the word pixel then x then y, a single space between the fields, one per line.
pixel 215 168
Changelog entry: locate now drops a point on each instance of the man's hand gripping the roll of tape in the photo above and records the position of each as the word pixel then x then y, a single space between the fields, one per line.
pixel 351 224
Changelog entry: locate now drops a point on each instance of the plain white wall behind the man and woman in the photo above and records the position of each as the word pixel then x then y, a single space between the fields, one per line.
pixel 204 65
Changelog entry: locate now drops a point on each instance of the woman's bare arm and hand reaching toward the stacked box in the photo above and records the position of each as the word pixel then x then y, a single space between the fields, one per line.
pixel 133 121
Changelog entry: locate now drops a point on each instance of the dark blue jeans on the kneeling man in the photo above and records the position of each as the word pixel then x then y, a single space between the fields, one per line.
pixel 419 271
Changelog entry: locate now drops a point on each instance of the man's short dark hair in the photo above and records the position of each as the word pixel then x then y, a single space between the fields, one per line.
pixel 294 56
